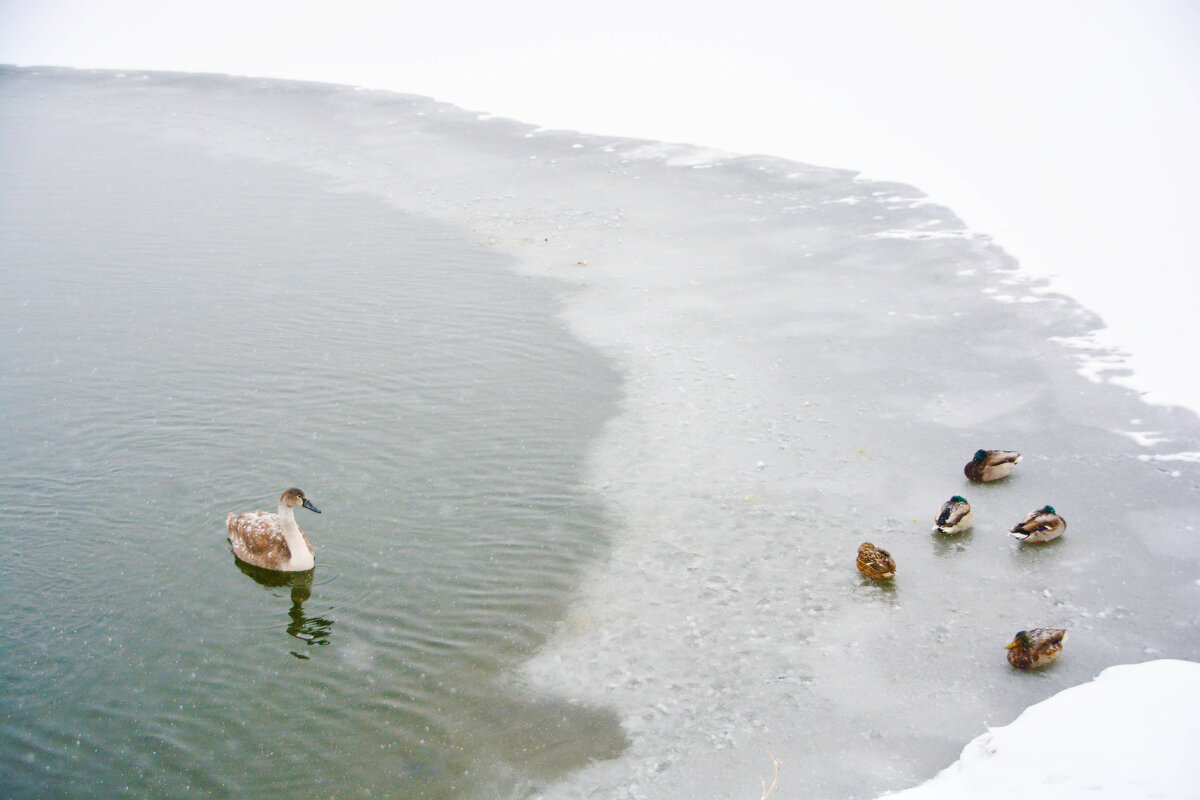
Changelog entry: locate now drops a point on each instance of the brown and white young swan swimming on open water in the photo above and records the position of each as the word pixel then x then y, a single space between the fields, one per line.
pixel 273 542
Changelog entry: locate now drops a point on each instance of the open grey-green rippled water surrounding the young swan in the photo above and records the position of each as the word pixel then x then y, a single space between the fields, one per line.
pixel 183 336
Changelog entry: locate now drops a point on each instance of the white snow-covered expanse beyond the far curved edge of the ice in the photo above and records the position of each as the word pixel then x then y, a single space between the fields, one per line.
pixel 1066 130
